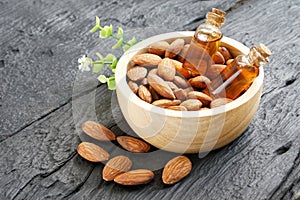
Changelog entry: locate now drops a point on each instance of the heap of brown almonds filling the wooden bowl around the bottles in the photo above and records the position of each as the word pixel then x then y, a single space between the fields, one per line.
pixel 159 78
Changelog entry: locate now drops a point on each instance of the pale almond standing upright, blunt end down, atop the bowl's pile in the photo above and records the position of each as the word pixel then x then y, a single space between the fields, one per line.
pixel 166 69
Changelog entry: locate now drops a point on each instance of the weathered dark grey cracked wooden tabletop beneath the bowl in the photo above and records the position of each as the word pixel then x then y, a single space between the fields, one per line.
pixel 43 98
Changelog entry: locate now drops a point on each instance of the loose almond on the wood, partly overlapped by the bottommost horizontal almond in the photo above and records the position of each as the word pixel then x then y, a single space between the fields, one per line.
pixel 115 167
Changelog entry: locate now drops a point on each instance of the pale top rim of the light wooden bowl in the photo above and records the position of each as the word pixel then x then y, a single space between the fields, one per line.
pixel 122 86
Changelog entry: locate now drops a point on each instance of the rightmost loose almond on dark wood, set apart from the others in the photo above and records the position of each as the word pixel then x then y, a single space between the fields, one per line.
pixel 176 169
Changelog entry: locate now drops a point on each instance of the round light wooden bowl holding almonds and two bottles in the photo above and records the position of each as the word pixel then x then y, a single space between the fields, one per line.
pixel 187 131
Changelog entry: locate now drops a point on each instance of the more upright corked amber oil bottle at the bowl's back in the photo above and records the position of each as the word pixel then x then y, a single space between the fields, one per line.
pixel 205 43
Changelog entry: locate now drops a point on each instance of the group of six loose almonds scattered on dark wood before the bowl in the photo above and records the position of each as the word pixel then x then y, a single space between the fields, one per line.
pixel 118 168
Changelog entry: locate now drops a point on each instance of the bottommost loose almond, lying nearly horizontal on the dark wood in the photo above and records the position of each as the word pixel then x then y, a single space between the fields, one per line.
pixel 135 177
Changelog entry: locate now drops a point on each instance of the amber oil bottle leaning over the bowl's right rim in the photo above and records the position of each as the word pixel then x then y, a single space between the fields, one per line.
pixel 239 74
